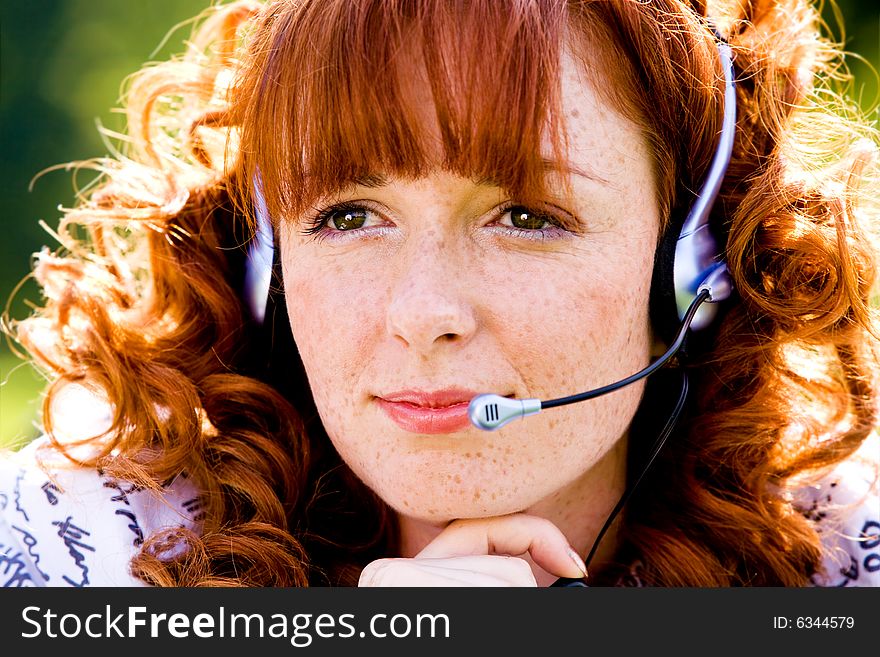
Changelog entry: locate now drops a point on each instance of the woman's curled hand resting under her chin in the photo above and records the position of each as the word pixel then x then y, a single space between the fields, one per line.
pixel 482 552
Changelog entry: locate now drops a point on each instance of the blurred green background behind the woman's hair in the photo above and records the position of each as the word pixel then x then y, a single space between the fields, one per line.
pixel 62 63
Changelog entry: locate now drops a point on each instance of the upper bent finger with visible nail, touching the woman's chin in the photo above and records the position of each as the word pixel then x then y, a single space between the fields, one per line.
pixel 513 535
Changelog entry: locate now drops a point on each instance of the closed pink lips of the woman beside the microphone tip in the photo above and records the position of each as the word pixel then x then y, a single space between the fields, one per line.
pixel 440 411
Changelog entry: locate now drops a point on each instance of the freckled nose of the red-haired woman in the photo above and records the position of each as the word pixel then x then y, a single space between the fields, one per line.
pixel 430 305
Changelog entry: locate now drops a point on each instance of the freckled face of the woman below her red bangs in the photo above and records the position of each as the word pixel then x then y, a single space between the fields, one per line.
pixel 413 296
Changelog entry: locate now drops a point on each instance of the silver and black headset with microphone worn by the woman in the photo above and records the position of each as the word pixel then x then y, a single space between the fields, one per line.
pixel 689 269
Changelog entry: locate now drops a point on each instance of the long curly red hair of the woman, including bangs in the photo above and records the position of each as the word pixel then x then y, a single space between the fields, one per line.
pixel 145 307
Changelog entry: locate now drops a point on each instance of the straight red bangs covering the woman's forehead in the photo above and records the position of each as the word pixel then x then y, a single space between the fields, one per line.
pixel 342 91
